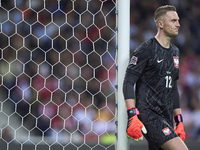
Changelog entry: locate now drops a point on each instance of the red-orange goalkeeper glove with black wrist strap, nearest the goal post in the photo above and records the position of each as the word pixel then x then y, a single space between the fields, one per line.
pixel 134 125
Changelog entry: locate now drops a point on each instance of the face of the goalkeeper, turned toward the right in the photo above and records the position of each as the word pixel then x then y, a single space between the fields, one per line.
pixel 171 23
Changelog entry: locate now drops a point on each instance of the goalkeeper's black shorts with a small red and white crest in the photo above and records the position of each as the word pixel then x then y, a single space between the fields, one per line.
pixel 158 132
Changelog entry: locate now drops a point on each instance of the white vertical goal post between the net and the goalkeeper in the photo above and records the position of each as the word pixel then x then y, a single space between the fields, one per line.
pixel 123 51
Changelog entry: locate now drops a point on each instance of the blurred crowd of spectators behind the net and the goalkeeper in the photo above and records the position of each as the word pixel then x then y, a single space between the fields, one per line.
pixel 57 63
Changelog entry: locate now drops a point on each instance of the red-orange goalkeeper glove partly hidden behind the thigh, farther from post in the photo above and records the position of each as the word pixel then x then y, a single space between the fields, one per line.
pixel 179 129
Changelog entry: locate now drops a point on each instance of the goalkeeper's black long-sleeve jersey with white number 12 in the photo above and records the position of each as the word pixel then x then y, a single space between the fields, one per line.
pixel 155 70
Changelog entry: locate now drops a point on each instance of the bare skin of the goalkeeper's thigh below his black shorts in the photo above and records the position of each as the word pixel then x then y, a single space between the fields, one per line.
pixel 174 144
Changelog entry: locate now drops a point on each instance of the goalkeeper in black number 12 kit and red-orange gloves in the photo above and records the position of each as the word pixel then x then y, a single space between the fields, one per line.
pixel 154 71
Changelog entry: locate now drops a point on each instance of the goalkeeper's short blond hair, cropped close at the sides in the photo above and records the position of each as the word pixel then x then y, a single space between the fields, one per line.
pixel 160 11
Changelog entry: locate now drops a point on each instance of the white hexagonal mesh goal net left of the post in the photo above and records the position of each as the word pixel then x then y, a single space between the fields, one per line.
pixel 57 73
